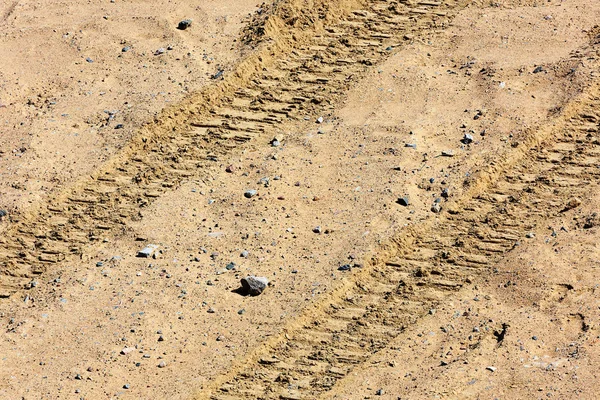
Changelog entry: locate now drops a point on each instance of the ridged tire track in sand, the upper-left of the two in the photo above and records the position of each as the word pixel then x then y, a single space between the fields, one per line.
pixel 307 59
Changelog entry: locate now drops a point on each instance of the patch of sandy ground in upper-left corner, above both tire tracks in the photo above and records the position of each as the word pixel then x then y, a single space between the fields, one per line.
pixel 77 79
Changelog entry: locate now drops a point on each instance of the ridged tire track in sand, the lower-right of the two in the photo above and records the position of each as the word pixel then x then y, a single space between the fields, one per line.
pixel 546 176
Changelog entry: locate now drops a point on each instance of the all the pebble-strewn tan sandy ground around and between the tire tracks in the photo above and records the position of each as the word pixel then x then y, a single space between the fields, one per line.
pixel 101 326
